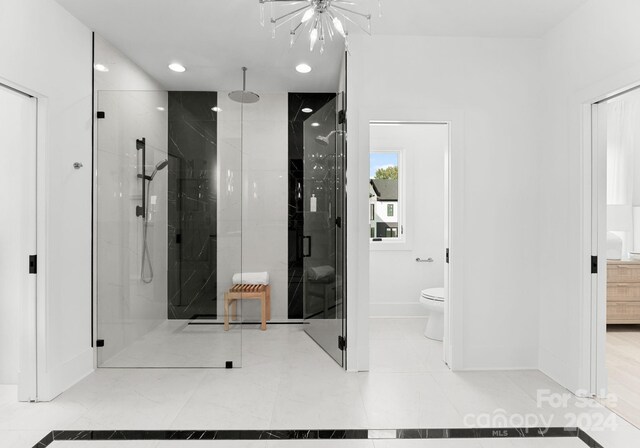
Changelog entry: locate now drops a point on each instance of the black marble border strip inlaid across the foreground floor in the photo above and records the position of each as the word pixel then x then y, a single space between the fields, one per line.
pixel 314 434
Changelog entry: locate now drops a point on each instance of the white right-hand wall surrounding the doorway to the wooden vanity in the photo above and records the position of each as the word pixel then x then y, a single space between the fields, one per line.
pixel 593 52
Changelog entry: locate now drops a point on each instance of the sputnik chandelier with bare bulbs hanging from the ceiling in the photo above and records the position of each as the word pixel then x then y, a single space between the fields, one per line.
pixel 321 19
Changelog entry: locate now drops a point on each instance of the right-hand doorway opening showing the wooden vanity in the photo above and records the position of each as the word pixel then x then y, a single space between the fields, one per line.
pixel 616 251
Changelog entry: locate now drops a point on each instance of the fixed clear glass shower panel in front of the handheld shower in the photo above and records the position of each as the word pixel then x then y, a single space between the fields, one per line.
pixel 168 233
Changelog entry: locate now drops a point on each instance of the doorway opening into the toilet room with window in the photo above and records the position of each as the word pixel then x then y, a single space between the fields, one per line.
pixel 409 240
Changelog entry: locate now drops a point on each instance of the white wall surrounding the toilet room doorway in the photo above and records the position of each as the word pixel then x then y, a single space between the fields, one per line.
pixel 495 85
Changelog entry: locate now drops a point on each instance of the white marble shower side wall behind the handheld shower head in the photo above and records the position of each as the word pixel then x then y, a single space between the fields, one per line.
pixel 127 307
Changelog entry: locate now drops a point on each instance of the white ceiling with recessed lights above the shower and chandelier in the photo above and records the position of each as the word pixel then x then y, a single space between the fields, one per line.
pixel 214 38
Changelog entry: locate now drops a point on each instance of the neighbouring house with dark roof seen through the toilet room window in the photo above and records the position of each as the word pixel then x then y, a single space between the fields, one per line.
pixel 383 208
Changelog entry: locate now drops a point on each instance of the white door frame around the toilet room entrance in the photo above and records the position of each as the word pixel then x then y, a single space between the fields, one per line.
pixel 358 318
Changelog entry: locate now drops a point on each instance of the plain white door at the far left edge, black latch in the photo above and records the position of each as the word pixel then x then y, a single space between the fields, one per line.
pixel 18 120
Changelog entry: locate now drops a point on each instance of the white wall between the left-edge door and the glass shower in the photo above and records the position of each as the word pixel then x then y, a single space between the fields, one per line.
pixel 48 53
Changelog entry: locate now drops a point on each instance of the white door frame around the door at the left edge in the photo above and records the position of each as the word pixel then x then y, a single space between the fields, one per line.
pixel 31 323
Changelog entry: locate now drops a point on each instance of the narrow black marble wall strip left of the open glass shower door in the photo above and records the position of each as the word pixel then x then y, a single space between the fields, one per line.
pixel 297 102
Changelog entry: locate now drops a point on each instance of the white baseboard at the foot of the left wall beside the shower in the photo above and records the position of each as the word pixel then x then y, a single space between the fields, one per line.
pixel 53 382
